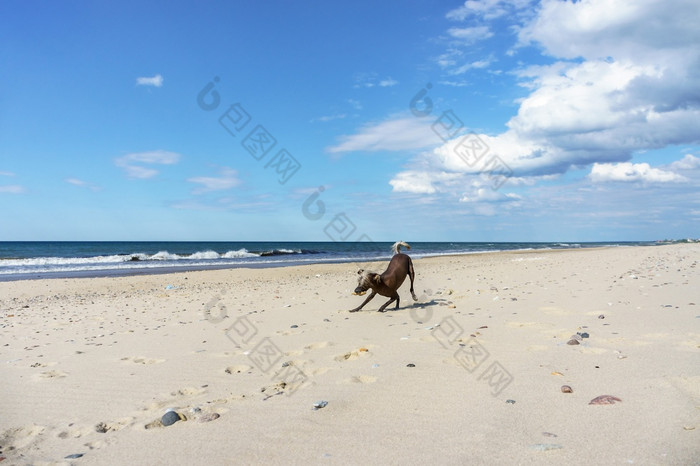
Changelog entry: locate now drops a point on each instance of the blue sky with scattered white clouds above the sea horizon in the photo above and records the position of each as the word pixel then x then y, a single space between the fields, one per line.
pixel 419 120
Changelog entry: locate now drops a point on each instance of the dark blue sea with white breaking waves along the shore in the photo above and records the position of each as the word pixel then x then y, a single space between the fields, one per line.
pixel 45 259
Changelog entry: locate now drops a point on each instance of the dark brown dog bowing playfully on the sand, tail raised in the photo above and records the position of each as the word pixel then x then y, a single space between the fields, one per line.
pixel 387 283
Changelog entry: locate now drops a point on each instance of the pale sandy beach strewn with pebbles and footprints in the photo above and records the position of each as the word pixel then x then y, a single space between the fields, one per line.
pixel 470 374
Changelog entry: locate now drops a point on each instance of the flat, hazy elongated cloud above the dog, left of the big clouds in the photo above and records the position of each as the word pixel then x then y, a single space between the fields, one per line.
pixel 406 133
